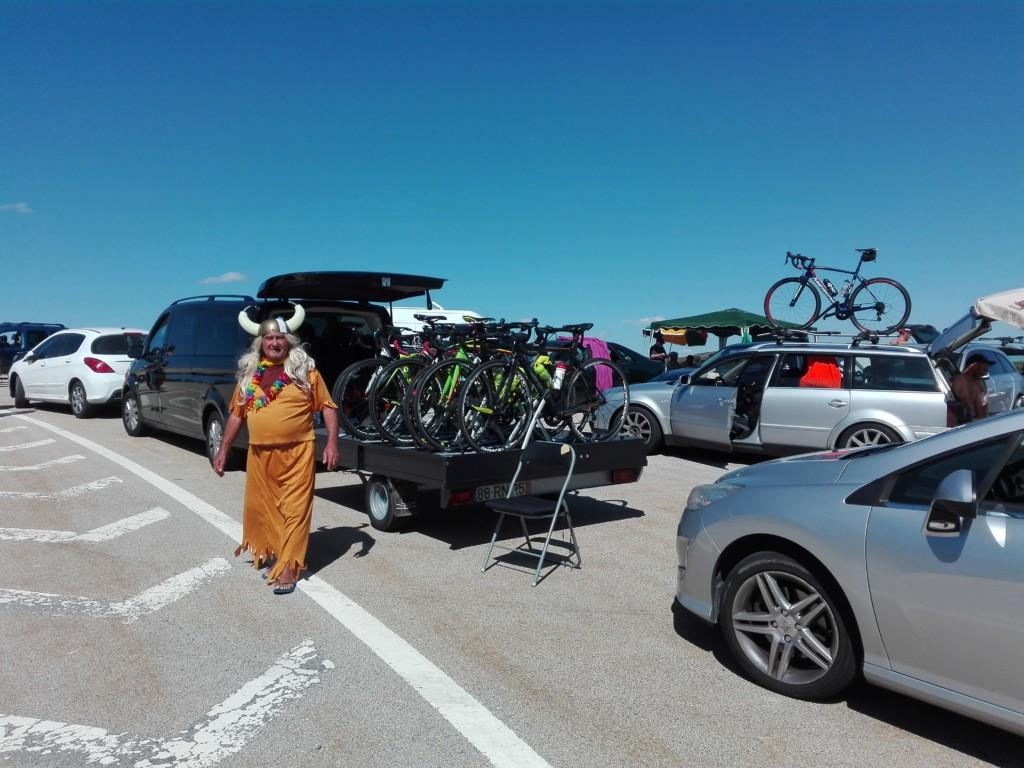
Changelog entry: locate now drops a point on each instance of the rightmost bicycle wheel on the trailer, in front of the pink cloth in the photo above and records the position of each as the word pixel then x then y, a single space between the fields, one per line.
pixel 595 401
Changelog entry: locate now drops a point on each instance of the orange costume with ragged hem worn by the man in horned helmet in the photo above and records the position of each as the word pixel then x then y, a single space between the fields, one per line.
pixel 280 474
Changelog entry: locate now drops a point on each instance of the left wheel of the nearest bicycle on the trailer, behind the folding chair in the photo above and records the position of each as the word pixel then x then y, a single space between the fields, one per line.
pixel 495 407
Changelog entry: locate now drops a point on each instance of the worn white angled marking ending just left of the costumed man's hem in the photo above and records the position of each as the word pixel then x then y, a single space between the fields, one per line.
pixel 130 611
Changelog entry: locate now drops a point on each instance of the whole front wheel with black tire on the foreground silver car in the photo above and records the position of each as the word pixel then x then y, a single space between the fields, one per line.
pixel 786 630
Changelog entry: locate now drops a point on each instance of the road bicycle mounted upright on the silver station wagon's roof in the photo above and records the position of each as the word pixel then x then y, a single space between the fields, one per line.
pixel 876 307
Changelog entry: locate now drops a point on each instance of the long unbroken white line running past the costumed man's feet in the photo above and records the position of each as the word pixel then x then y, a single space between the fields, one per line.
pixel 491 737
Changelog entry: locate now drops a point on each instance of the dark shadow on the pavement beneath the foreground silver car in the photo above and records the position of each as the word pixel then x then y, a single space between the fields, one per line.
pixel 935 724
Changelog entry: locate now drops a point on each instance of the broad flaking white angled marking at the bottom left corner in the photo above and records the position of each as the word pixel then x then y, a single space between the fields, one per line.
pixel 224 732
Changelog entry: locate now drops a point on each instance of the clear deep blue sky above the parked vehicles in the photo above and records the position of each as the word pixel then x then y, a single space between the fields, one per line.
pixel 610 162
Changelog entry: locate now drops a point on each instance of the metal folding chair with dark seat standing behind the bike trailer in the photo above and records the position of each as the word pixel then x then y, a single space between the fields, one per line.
pixel 535 508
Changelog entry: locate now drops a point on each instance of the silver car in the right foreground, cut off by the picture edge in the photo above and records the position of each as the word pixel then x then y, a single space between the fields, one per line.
pixel 904 564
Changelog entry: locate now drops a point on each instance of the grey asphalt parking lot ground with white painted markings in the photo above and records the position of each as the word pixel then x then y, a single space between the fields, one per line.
pixel 133 636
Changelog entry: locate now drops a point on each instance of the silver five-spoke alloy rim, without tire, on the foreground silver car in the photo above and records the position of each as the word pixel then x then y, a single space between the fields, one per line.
pixel 785 628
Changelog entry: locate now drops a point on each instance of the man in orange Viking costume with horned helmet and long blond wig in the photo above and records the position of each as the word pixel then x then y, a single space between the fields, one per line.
pixel 279 391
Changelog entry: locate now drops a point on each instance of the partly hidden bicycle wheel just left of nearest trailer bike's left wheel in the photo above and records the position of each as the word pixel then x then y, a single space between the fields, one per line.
pixel 434 413
